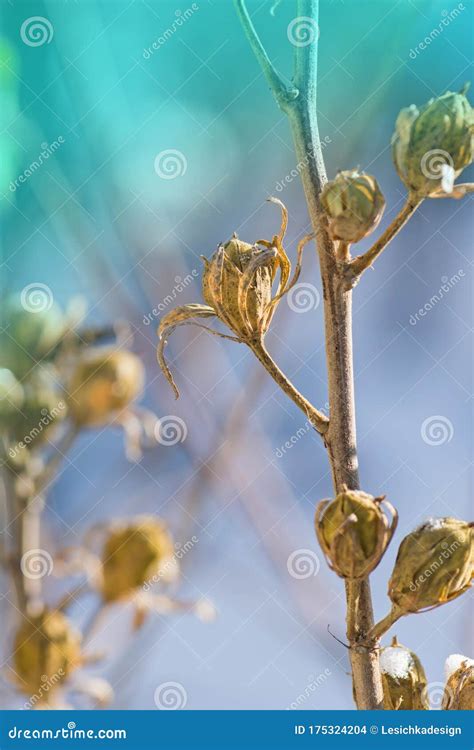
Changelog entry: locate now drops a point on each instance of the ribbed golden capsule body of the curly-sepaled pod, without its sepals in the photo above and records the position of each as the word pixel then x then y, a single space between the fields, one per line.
pixel 237 283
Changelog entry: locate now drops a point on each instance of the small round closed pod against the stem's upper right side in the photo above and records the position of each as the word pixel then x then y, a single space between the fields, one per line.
pixel 354 204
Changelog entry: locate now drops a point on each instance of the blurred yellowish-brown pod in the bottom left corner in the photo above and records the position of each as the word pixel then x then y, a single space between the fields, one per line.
pixel 46 648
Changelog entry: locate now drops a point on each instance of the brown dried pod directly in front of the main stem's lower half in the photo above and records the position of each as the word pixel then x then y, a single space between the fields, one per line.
pixel 354 532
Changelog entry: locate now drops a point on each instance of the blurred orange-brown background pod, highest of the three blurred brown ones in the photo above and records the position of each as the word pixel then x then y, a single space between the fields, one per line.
pixel 104 383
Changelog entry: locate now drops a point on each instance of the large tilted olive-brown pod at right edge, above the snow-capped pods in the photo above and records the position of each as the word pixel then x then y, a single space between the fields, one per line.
pixel 435 564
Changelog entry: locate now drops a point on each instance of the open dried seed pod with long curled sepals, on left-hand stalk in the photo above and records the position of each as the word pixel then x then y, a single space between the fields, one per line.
pixel 237 285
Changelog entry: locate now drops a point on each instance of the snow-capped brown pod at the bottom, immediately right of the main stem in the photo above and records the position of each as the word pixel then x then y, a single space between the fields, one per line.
pixel 403 679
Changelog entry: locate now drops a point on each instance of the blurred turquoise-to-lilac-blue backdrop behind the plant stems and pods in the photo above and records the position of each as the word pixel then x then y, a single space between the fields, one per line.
pixel 98 220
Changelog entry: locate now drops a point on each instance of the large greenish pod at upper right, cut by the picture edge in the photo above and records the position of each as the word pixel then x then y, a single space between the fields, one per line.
pixel 432 146
